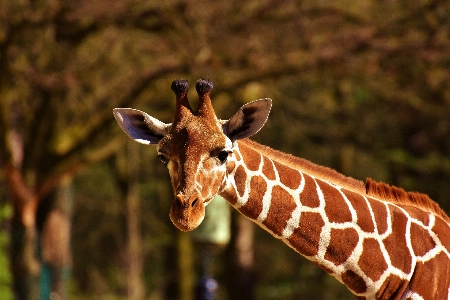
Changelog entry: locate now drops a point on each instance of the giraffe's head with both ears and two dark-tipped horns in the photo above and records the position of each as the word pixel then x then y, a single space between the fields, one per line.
pixel 195 147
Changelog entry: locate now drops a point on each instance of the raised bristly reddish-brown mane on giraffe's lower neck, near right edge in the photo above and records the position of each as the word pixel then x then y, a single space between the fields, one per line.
pixel 398 195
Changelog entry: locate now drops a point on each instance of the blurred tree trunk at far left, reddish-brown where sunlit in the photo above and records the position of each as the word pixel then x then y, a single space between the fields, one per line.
pixel 25 265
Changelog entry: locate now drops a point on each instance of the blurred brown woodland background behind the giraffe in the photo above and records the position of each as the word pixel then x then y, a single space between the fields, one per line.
pixel 359 86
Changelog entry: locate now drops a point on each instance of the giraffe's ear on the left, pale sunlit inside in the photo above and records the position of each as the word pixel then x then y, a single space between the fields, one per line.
pixel 140 126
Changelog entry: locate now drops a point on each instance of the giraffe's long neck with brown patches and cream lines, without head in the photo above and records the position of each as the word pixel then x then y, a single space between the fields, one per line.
pixel 328 218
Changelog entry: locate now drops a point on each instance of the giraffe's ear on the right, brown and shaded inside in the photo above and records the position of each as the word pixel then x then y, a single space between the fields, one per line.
pixel 248 120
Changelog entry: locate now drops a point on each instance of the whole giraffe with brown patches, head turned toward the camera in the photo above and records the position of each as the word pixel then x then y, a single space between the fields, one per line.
pixel 378 240
